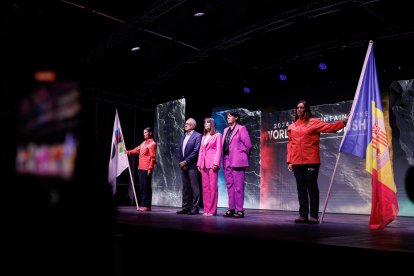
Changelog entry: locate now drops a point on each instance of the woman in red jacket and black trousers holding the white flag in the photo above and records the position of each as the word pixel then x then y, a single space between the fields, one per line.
pixel 146 164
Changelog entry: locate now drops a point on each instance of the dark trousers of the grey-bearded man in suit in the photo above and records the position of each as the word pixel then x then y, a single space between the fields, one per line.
pixel 191 190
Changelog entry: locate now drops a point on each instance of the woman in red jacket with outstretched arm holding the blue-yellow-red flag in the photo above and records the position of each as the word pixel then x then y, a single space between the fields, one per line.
pixel 303 158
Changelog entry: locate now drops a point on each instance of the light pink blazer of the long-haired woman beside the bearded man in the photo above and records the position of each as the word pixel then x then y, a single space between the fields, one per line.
pixel 210 154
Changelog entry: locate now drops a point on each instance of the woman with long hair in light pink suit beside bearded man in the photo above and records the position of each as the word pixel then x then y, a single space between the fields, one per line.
pixel 208 165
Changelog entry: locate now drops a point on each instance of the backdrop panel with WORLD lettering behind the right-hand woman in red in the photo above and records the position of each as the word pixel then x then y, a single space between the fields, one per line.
pixel 351 192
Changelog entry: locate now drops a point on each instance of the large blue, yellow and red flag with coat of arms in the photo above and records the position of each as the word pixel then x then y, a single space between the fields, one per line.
pixel 366 137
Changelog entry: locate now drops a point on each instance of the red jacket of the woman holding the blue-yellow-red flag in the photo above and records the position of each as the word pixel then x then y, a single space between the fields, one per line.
pixel 304 136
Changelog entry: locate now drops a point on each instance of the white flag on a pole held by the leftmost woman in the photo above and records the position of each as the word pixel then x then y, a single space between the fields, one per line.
pixel 118 161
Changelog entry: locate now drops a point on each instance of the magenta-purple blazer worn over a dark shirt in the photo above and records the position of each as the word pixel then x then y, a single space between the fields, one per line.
pixel 239 146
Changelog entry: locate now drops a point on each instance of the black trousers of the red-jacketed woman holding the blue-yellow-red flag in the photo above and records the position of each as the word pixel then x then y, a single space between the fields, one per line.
pixel 308 191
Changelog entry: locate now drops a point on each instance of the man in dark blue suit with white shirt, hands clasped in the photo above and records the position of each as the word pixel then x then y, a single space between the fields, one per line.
pixel 187 156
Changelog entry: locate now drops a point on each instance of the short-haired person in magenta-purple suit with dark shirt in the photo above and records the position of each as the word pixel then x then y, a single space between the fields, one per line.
pixel 236 153
